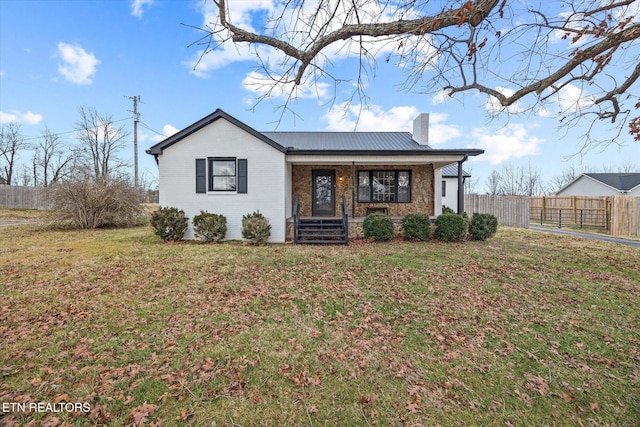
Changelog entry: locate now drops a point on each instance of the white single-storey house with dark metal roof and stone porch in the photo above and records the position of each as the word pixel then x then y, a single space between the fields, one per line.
pixel 312 186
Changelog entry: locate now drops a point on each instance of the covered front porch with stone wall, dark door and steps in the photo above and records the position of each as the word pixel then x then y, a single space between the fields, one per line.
pixel 326 192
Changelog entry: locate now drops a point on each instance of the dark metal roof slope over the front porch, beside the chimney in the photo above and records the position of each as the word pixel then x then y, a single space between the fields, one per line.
pixel 348 141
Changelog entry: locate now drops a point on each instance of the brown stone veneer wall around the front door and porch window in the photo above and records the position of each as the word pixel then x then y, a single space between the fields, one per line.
pixel 421 188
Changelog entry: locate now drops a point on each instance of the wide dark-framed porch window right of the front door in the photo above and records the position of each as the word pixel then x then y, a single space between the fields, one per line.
pixel 384 186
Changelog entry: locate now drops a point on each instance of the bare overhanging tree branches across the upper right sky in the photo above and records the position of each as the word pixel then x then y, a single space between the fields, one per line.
pixel 525 56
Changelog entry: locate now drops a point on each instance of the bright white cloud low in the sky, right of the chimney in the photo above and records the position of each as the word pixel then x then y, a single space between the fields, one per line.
pixel 510 142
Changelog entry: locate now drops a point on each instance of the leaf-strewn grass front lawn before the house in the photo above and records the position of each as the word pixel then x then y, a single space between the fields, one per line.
pixel 524 328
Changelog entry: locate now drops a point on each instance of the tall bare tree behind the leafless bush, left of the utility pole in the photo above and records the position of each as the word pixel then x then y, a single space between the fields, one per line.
pixel 101 140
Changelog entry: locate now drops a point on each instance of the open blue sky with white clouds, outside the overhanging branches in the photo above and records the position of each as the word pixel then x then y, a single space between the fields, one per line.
pixel 56 56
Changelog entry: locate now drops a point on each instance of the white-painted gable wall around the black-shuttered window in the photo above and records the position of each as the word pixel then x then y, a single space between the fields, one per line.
pixel 266 178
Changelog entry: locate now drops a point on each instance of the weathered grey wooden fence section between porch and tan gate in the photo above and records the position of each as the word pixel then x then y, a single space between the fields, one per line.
pixel 510 211
